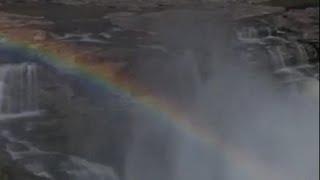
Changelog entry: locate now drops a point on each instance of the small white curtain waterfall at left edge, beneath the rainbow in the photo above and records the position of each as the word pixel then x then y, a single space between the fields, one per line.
pixel 18 90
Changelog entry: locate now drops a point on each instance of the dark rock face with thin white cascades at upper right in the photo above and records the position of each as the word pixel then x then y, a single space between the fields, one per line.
pixel 291 39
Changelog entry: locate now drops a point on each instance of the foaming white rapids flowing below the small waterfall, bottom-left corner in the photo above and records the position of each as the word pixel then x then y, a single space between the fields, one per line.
pixel 37 162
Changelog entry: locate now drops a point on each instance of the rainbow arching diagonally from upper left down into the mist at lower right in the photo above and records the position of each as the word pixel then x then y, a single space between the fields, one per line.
pixel 67 59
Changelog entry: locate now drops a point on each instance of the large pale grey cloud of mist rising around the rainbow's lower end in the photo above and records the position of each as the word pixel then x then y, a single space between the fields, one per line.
pixel 265 130
